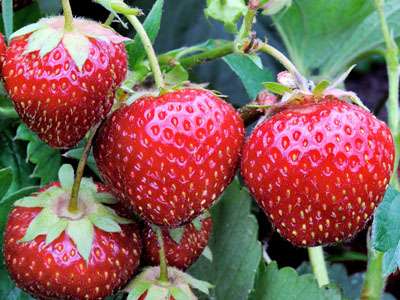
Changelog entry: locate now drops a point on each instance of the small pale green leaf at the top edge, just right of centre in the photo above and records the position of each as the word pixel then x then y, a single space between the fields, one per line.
pixel 227 12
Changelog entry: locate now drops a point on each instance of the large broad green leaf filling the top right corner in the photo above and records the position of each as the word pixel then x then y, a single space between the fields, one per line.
pixel 324 37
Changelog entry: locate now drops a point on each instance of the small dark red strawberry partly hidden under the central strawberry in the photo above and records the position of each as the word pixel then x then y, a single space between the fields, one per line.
pixel 179 253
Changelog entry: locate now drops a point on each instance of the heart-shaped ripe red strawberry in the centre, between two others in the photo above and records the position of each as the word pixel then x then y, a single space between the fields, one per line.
pixel 170 156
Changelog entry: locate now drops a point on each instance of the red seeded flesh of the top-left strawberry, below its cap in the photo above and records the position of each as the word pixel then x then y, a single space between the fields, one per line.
pixel 56 99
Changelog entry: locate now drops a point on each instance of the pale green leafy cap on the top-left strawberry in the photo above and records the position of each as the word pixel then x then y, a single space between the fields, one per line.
pixel 48 33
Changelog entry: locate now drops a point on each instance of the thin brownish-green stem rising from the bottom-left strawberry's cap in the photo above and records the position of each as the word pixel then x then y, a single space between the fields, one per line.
pixel 74 200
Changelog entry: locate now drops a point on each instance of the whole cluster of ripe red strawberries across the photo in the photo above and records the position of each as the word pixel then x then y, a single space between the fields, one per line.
pixel 318 169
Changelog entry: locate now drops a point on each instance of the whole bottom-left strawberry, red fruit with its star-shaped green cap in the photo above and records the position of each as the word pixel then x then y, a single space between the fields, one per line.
pixel 54 254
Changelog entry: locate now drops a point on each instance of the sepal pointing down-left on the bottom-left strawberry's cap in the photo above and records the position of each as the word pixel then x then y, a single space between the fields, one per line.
pixel 40 225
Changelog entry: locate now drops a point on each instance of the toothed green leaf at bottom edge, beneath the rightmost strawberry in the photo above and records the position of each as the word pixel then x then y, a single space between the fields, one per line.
pixel 285 284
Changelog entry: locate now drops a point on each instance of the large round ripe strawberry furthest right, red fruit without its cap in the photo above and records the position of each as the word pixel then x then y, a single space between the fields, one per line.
pixel 319 169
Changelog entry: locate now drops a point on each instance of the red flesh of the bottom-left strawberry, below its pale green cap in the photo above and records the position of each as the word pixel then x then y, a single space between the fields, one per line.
pixel 57 271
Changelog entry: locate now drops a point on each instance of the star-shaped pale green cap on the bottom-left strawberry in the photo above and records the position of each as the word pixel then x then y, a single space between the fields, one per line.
pixel 54 219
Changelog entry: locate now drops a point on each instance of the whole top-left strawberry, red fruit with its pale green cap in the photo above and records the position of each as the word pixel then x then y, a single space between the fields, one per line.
pixel 63 82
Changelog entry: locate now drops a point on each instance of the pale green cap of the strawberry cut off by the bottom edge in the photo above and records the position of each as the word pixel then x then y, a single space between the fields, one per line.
pixel 178 287
